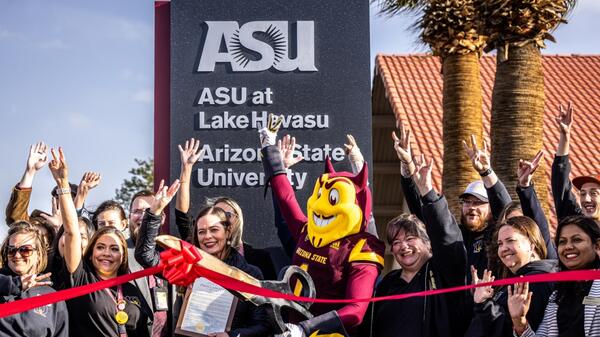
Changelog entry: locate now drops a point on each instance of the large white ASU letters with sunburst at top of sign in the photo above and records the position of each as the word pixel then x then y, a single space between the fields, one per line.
pixel 258 46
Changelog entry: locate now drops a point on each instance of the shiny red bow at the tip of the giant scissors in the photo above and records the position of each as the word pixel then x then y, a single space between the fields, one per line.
pixel 180 267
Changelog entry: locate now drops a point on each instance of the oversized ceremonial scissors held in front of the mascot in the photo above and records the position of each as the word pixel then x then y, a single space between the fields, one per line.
pixel 272 305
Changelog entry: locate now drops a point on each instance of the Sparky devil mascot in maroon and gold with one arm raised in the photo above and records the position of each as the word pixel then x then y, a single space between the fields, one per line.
pixel 332 243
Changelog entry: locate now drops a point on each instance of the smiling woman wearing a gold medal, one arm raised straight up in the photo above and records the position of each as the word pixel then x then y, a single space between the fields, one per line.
pixel 113 311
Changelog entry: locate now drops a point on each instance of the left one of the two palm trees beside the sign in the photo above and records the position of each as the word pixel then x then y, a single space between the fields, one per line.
pixel 449 27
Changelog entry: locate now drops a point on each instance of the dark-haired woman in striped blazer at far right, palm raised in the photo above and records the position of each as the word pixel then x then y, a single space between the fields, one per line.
pixel 574 307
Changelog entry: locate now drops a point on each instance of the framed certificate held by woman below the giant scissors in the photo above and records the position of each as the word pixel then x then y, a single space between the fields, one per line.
pixel 207 308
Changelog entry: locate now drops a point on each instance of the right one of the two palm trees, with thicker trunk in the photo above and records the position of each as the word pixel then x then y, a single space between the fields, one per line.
pixel 517 30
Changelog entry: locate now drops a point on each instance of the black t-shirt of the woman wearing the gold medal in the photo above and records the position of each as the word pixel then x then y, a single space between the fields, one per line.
pixel 93 314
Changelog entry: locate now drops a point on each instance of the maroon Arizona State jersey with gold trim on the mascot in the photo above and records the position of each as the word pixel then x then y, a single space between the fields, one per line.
pixel 346 268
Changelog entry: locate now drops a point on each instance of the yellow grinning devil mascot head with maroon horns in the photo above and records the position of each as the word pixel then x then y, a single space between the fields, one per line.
pixel 336 207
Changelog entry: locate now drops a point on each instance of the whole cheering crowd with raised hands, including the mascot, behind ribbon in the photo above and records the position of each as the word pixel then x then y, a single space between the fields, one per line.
pixel 335 242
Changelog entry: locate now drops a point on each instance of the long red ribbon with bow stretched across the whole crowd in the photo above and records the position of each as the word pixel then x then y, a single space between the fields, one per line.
pixel 180 268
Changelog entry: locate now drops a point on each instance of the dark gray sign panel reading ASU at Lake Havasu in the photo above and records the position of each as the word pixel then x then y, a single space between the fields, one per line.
pixel 234 62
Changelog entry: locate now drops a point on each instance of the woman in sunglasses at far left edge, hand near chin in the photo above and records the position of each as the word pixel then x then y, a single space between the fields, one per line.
pixel 24 255
